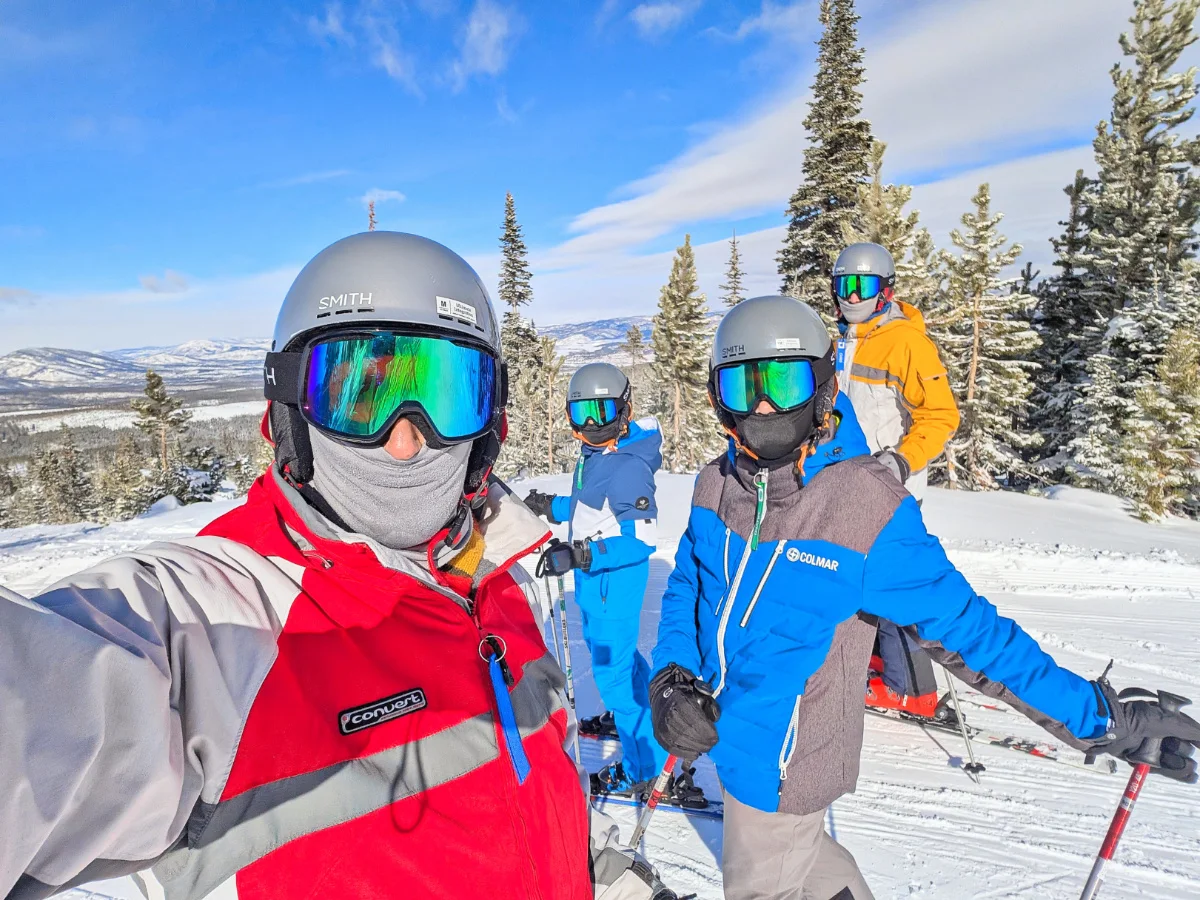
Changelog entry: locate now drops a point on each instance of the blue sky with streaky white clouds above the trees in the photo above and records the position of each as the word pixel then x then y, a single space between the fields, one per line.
pixel 166 166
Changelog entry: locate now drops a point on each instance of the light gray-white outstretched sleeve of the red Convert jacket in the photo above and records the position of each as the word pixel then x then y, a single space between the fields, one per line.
pixel 124 692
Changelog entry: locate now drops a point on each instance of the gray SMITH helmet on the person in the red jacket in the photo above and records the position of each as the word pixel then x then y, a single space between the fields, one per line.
pixel 387 278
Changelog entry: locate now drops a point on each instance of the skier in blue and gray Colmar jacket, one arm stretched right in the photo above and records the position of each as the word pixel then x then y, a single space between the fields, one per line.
pixel 794 533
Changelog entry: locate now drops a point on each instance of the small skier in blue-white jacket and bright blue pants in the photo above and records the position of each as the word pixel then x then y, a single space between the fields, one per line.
pixel 613 515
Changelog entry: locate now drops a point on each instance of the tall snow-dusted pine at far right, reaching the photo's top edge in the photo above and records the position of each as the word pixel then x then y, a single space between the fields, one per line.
pixel 1144 219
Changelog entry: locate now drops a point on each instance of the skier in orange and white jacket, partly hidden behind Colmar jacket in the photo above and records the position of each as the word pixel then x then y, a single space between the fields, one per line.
pixel 891 370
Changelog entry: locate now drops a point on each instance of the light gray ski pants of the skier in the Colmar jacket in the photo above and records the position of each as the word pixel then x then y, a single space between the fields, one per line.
pixel 778 856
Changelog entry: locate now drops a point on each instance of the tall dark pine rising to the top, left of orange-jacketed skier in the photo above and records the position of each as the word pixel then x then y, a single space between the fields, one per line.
pixel 836 160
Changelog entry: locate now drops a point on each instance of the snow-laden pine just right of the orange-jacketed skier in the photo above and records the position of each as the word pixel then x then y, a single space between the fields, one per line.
pixel 989 361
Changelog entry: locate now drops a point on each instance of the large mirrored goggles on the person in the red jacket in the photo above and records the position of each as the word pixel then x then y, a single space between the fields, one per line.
pixel 358 386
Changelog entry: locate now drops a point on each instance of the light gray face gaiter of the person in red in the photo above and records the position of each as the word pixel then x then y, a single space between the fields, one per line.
pixel 400 503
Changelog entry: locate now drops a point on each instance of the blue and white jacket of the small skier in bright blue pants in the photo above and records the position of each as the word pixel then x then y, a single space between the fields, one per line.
pixel 613 506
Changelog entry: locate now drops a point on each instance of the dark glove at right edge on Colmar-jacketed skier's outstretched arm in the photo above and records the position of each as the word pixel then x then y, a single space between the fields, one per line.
pixel 1153 731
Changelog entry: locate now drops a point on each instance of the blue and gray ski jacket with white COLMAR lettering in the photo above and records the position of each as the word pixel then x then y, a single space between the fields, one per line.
pixel 772 565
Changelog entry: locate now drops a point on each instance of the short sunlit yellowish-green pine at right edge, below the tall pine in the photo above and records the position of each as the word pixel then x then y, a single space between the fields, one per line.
pixel 1161 452
